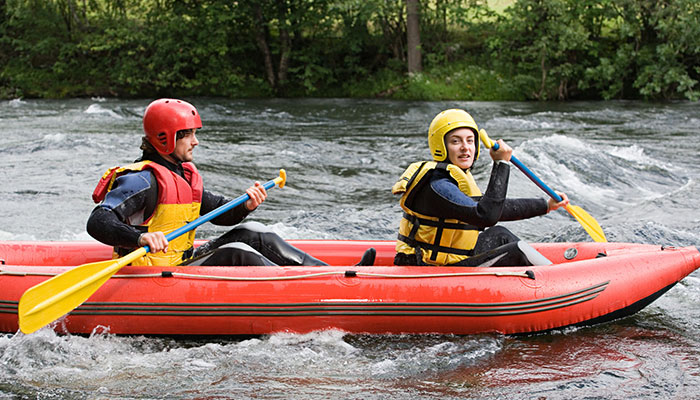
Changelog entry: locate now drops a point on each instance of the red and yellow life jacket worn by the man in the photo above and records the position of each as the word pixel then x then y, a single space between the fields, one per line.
pixel 179 202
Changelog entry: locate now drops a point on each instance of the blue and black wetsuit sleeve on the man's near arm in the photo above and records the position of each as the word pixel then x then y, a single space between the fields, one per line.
pixel 133 196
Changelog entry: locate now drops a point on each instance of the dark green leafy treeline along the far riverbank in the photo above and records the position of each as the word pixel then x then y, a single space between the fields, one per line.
pixel 535 49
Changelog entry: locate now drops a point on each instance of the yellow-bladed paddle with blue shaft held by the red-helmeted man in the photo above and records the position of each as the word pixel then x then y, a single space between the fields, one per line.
pixel 51 299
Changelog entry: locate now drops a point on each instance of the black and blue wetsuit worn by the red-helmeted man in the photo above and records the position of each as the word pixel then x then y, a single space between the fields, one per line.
pixel 134 197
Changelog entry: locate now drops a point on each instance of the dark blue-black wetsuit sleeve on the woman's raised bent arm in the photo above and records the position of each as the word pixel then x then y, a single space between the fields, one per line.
pixel 443 199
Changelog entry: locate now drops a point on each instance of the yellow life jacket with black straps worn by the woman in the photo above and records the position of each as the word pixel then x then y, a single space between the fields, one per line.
pixel 440 241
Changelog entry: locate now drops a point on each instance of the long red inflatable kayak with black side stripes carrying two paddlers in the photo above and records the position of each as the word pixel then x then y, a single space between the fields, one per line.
pixel 587 283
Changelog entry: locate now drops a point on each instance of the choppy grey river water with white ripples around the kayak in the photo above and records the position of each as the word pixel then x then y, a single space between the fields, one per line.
pixel 633 166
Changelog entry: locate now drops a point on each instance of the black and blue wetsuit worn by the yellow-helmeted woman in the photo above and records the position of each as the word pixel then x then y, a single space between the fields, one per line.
pixel 442 198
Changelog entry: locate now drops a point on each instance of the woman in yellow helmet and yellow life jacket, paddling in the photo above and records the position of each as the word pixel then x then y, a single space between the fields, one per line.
pixel 446 218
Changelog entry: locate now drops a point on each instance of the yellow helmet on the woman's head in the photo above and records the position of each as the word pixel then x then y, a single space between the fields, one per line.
pixel 445 122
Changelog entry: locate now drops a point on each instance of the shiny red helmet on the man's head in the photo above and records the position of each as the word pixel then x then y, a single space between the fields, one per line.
pixel 164 117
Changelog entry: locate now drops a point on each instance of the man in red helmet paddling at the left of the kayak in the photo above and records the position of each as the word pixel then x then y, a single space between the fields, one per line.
pixel 140 203
